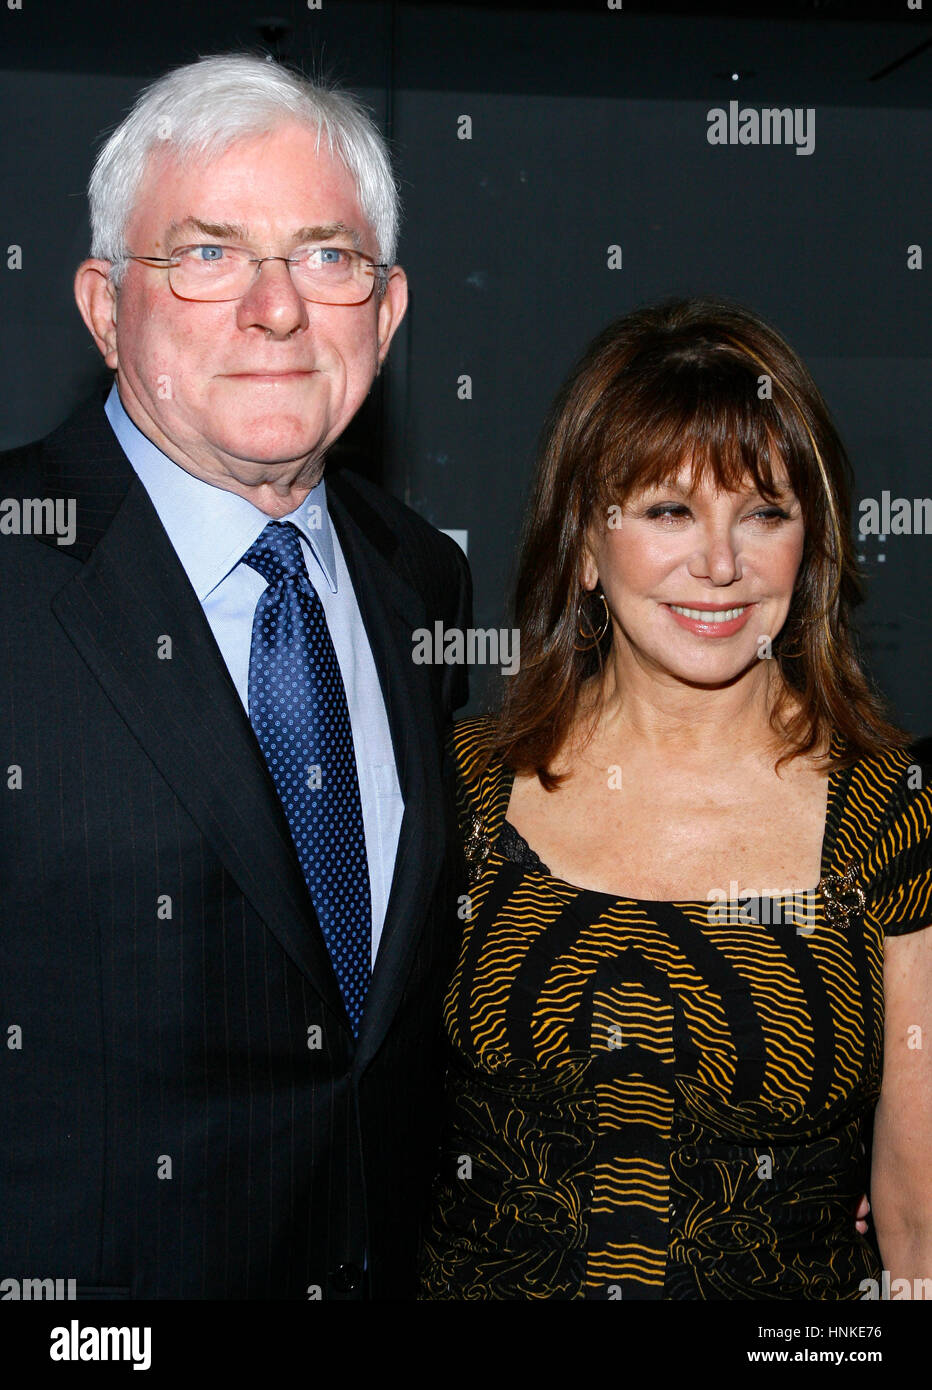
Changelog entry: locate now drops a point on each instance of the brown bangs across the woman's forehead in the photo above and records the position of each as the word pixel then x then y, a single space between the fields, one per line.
pixel 706 418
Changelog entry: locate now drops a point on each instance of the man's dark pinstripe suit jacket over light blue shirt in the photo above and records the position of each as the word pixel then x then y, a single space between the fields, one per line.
pixel 185 1113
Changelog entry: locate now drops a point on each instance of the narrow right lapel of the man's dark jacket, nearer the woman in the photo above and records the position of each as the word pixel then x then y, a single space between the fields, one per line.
pixel 391 611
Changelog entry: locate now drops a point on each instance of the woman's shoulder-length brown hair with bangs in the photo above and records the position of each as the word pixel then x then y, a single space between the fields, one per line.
pixel 702 380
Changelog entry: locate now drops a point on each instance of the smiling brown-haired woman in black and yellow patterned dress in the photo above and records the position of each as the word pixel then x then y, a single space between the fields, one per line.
pixel 701 864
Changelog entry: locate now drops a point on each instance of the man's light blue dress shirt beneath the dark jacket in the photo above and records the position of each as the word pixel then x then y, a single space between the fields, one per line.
pixel 212 530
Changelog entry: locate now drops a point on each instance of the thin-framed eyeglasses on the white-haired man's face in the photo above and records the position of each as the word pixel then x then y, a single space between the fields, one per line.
pixel 322 275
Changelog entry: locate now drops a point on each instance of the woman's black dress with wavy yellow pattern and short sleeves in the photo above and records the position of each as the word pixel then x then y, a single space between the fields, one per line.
pixel 666 1100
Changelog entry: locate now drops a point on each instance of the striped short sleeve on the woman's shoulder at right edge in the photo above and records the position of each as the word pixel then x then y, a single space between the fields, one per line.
pixel 898 872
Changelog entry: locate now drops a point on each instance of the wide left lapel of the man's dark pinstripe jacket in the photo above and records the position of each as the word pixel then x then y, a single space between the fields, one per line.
pixel 122 607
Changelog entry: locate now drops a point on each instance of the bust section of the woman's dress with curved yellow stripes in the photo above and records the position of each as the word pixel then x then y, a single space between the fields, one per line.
pixel 774 1020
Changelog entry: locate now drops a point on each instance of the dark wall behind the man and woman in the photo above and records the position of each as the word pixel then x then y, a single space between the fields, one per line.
pixel 590 130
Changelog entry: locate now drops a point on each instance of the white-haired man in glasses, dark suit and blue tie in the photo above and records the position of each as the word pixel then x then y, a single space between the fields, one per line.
pixel 228 849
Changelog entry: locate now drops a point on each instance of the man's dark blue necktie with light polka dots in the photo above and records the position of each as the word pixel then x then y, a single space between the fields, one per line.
pixel 299 712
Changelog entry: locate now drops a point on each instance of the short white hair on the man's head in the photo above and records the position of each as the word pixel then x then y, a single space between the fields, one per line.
pixel 199 111
